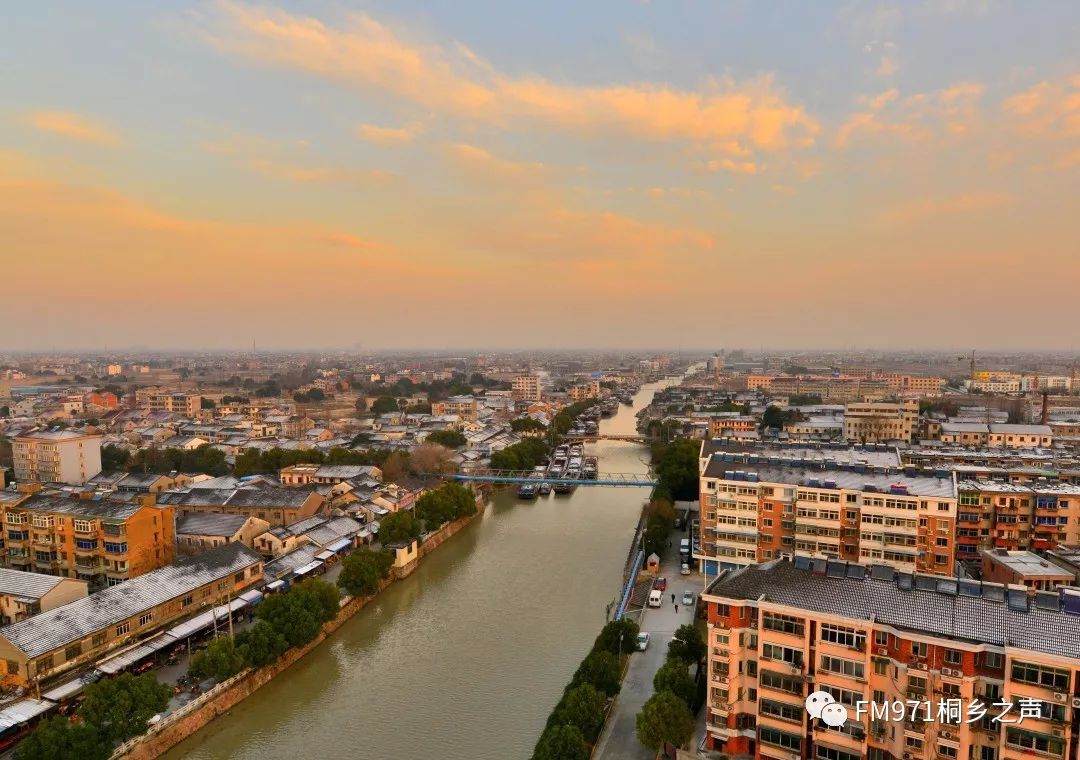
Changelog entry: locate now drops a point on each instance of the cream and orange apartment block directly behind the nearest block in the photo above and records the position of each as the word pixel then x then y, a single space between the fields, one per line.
pixel 758 508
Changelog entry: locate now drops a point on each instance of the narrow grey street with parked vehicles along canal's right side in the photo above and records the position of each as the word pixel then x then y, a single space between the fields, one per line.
pixel 619 739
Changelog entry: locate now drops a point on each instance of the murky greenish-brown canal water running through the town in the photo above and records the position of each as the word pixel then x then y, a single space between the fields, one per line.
pixel 465 659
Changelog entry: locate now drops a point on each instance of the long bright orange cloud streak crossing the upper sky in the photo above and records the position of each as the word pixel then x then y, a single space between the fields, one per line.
pixel 368 55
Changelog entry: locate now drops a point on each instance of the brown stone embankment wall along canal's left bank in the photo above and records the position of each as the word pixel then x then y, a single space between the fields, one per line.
pixel 197 714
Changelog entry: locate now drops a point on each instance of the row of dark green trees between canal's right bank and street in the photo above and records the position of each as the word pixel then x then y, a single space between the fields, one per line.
pixel 577 722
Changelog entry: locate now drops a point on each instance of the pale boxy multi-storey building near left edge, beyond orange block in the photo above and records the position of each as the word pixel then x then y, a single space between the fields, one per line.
pixel 57 456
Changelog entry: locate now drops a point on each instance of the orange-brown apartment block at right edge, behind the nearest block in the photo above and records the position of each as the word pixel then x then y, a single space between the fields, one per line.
pixel 1000 514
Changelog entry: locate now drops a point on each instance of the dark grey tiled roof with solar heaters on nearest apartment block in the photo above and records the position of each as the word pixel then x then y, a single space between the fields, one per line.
pixel 947 607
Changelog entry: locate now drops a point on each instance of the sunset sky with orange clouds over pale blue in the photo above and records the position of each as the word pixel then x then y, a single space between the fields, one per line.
pixel 610 173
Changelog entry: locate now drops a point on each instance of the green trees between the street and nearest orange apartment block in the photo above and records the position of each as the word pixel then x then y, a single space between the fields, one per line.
pixel 669 714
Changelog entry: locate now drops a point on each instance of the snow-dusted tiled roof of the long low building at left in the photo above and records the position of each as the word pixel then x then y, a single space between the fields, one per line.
pixel 63 626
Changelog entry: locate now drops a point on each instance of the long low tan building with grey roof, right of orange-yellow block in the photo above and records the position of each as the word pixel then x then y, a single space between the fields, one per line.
pixel 275 506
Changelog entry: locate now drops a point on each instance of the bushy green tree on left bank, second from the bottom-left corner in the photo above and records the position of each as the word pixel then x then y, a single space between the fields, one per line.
pixel 121 708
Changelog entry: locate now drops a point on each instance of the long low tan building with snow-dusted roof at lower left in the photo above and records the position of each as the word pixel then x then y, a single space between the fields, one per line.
pixel 79 633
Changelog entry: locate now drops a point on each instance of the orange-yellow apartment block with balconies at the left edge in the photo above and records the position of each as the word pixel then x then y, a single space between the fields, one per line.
pixel 97 540
